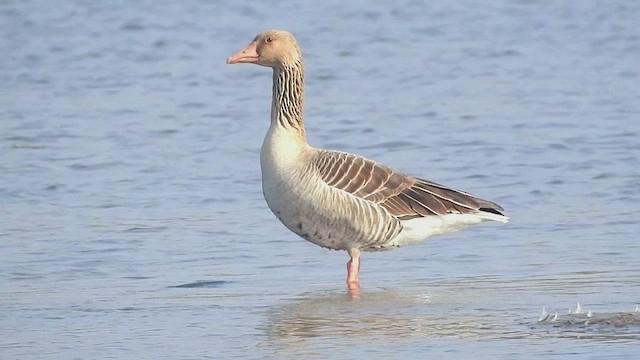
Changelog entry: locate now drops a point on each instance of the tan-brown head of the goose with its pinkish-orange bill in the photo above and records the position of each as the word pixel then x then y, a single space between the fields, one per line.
pixel 273 48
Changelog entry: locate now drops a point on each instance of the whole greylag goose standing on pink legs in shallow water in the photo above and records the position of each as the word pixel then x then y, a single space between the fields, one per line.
pixel 339 200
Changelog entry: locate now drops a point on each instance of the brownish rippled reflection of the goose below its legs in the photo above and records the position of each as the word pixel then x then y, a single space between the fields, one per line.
pixel 355 317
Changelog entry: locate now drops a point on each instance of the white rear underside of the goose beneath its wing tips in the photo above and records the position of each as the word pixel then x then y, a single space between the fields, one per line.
pixel 416 230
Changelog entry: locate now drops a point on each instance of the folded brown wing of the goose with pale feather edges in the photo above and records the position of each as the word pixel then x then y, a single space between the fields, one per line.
pixel 403 196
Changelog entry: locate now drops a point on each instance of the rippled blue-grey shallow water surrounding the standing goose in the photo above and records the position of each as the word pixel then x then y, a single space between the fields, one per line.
pixel 132 220
